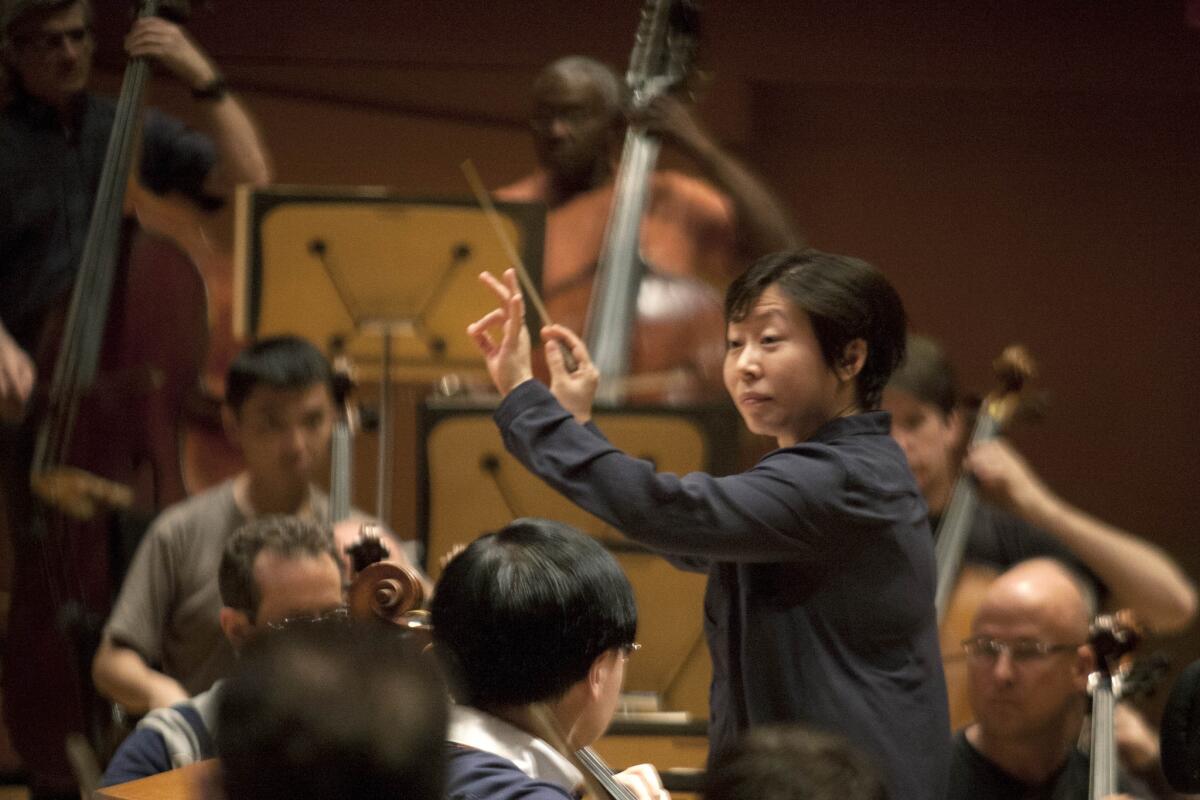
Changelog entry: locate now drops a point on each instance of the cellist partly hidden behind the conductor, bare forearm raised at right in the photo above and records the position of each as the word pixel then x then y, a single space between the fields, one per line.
pixel 1023 518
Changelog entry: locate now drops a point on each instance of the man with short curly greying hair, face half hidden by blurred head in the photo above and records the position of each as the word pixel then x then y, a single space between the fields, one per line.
pixel 273 569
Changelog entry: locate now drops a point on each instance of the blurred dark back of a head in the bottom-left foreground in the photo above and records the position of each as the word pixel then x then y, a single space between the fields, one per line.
pixel 319 712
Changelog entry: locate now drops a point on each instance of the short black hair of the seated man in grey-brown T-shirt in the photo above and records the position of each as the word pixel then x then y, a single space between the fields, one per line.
pixel 285 363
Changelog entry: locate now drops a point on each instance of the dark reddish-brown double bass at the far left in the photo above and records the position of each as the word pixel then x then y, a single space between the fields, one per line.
pixel 101 450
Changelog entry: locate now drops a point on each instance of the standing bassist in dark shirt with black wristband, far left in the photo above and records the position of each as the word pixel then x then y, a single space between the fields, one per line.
pixel 53 139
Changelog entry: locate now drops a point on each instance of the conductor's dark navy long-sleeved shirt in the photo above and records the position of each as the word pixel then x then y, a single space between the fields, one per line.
pixel 820 599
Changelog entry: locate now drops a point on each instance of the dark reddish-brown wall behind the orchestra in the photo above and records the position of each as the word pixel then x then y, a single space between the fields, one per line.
pixel 1025 171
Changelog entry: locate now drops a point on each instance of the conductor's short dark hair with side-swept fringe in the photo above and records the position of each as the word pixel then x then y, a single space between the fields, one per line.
pixel 845 298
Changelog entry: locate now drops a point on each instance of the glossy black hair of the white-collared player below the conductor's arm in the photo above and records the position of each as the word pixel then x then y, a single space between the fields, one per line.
pixel 523 613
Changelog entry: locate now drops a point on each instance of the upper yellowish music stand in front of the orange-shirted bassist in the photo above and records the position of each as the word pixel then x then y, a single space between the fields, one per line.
pixel 392 275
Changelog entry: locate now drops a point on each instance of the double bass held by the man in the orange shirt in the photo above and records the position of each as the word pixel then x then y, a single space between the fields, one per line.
pixel 652 338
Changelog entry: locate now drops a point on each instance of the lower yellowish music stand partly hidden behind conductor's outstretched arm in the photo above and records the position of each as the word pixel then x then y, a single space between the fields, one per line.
pixel 473 485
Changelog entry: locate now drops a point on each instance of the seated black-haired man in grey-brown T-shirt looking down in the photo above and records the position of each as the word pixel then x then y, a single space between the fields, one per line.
pixel 164 640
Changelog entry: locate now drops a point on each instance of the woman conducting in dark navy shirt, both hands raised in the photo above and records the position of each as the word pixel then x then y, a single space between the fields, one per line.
pixel 820 603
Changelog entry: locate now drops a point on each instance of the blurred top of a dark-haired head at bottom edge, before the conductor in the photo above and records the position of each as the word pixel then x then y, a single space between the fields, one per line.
pixel 793 763
